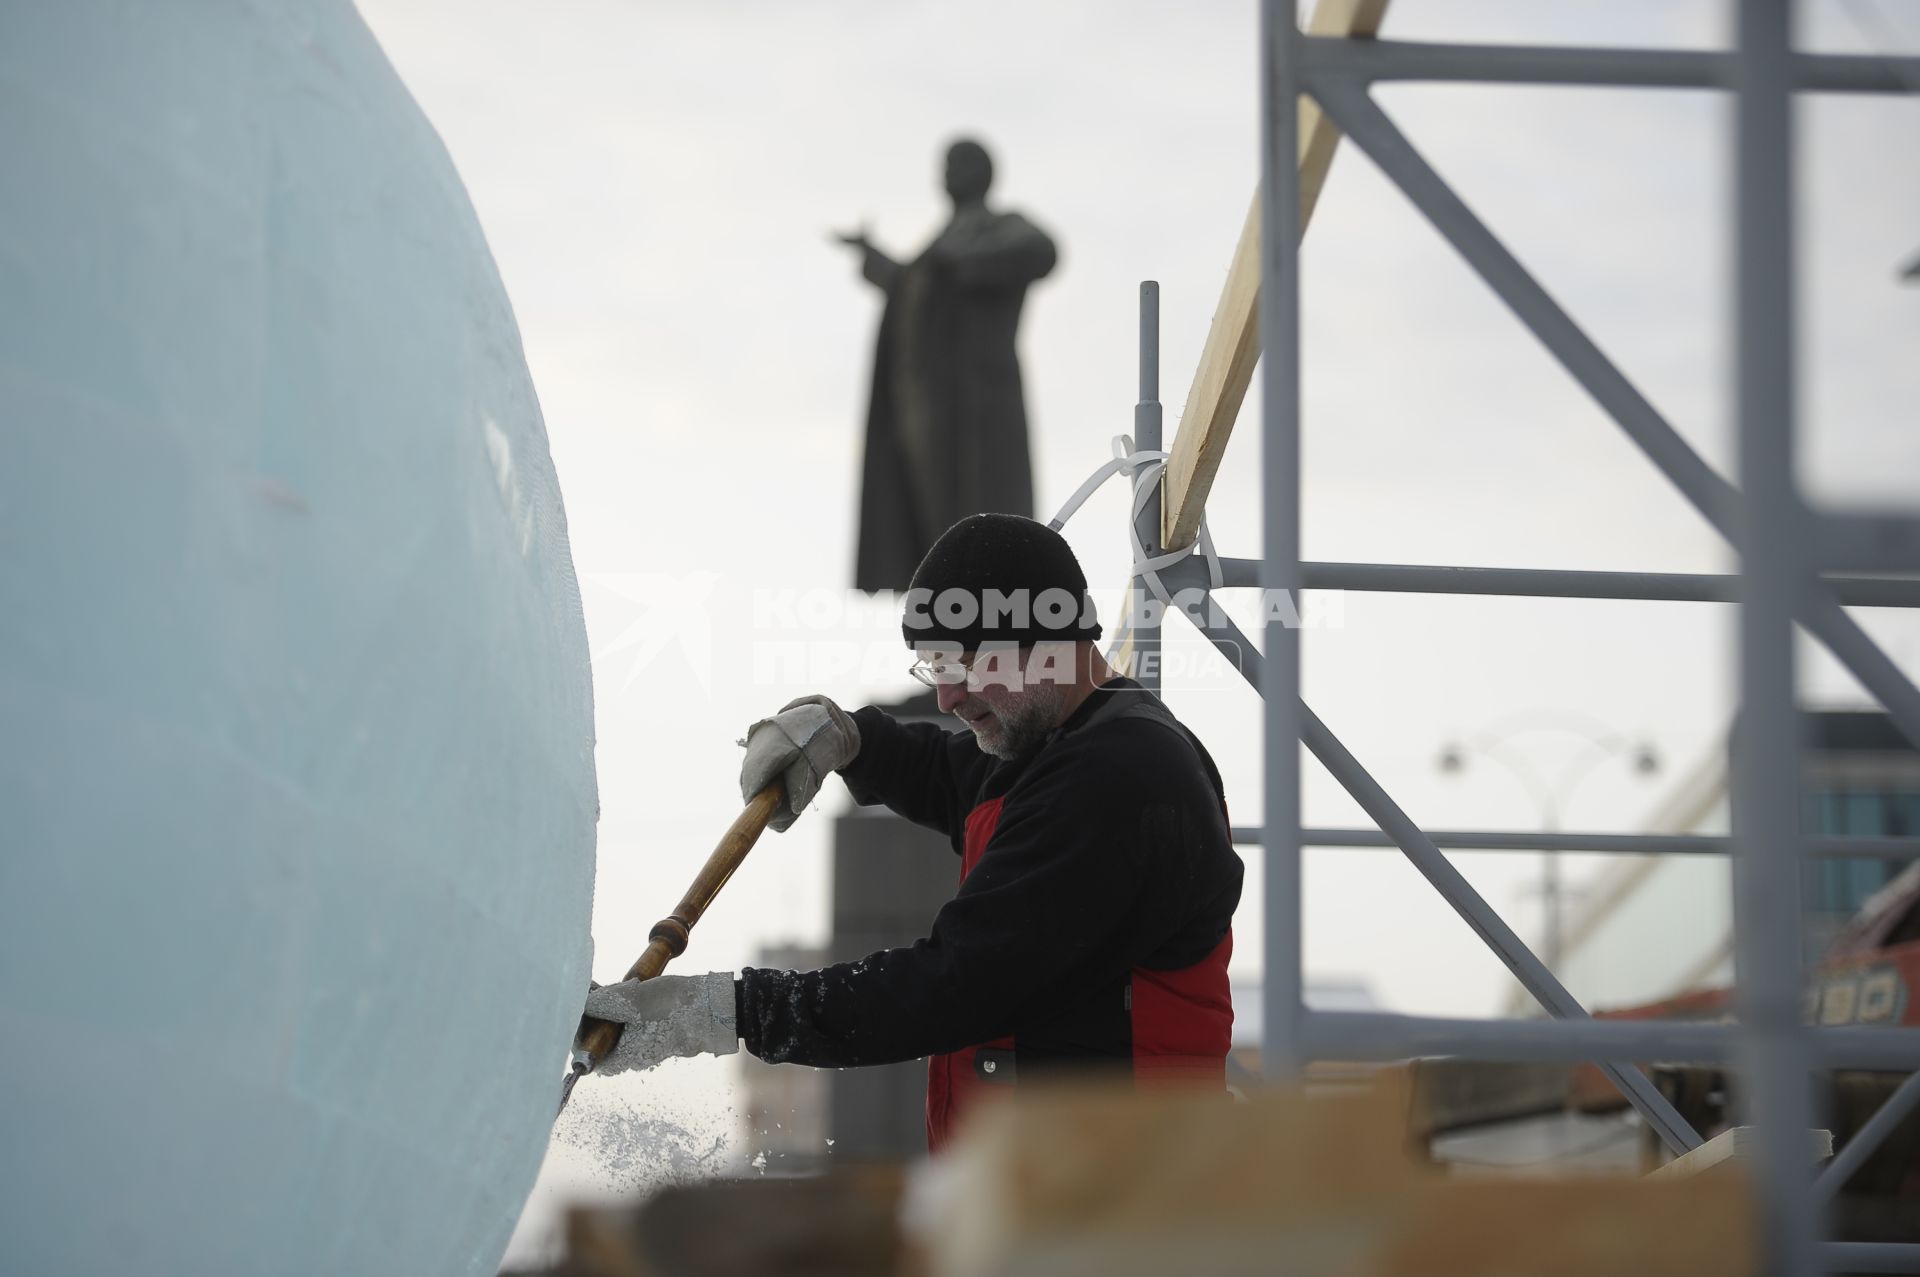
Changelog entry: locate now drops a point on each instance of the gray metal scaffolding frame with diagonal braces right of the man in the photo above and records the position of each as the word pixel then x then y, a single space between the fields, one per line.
pixel 1792 562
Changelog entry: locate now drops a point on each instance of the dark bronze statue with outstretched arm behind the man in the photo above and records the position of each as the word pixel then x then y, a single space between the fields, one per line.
pixel 948 425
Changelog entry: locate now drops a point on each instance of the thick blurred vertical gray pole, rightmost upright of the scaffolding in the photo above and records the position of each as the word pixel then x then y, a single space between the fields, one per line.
pixel 1769 535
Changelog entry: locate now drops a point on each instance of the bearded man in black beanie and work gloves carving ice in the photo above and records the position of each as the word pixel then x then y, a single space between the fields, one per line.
pixel 1097 873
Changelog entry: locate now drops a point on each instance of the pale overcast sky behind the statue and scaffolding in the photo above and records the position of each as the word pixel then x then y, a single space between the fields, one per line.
pixel 660 181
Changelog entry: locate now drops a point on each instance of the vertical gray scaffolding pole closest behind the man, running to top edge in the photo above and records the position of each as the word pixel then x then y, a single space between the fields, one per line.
pixel 1284 1001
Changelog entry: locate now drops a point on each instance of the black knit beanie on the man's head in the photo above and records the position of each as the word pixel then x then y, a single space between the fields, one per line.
pixel 999 579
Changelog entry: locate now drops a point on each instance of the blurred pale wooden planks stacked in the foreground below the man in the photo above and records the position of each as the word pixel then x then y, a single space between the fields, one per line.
pixel 1130 1184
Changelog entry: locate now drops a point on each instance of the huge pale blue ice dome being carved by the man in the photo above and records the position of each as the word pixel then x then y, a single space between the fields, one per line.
pixel 297 781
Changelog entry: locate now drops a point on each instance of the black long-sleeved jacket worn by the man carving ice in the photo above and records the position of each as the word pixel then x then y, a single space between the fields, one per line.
pixel 1111 854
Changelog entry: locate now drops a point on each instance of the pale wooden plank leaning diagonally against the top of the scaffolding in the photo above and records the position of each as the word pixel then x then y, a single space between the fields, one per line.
pixel 1234 343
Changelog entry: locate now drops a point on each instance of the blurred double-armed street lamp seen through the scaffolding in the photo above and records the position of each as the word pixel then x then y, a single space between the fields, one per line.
pixel 1550 790
